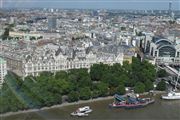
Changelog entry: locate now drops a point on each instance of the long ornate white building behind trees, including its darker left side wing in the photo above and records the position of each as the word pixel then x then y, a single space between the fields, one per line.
pixel 55 58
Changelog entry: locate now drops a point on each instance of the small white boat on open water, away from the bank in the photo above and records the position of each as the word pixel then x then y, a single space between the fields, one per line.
pixel 83 111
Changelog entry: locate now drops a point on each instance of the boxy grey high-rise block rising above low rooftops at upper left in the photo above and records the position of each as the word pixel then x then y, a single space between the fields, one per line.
pixel 52 21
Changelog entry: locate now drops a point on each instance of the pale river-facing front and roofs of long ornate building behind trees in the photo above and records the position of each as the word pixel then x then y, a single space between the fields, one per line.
pixel 56 60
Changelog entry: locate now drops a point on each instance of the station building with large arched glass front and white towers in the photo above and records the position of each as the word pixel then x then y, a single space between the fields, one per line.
pixel 165 51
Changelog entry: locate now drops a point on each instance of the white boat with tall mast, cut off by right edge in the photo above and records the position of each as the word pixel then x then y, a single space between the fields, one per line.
pixel 172 95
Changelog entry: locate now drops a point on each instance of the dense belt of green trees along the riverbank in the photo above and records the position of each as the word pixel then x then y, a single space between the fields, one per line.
pixel 77 84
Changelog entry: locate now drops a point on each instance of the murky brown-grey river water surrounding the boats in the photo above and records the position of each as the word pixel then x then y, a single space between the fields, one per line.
pixel 160 110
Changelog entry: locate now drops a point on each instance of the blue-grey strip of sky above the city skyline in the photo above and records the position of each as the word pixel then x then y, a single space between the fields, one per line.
pixel 94 4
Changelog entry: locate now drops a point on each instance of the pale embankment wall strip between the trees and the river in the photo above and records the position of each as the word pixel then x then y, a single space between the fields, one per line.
pixel 68 104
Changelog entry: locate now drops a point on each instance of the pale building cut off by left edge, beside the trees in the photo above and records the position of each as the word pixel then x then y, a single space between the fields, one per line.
pixel 3 70
